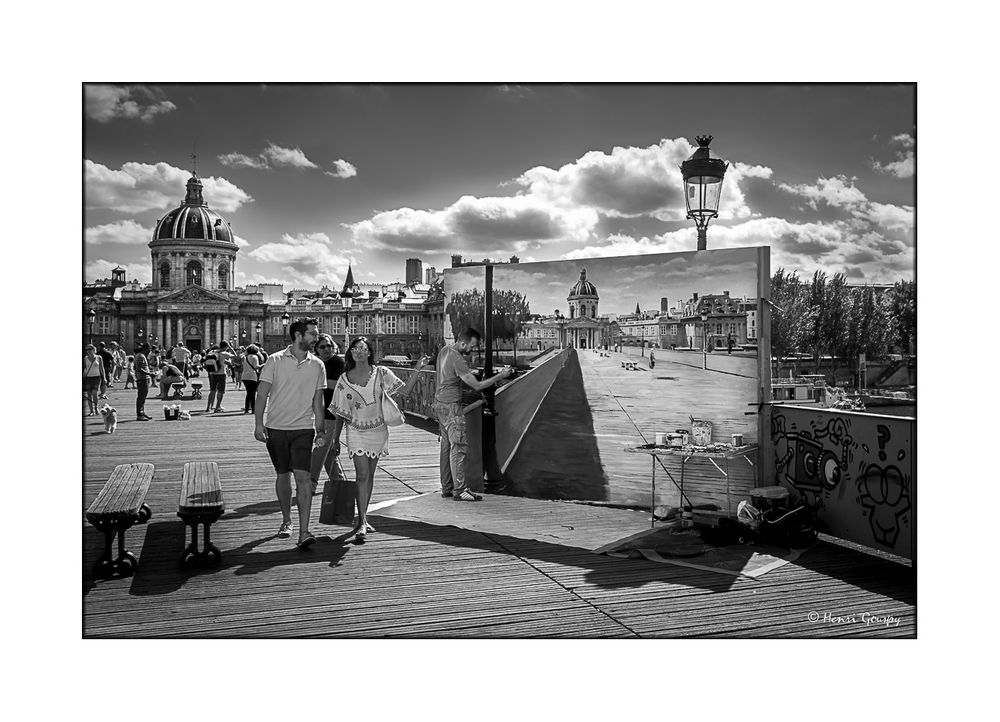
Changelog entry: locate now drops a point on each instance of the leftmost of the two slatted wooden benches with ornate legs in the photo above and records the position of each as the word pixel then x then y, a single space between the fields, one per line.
pixel 119 505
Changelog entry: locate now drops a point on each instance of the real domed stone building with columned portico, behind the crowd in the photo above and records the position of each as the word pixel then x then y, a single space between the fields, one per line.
pixel 192 299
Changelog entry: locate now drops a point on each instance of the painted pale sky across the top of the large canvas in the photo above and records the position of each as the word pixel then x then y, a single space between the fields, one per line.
pixel 622 282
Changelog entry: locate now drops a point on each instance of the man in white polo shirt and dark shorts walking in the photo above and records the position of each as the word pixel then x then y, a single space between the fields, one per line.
pixel 291 388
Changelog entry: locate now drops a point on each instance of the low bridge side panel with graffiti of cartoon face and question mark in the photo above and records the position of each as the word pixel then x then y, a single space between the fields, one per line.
pixel 857 470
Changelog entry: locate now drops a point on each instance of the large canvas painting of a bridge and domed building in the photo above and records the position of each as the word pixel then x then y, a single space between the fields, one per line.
pixel 614 351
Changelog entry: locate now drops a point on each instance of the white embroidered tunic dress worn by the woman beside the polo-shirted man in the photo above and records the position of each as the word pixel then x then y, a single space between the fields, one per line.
pixel 361 409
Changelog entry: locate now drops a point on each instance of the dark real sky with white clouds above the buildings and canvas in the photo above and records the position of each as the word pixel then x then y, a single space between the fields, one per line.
pixel 314 177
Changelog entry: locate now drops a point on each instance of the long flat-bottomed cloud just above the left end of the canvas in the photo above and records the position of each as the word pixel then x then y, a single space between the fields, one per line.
pixel 475 225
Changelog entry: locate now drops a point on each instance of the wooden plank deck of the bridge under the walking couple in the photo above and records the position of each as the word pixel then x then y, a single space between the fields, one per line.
pixel 415 579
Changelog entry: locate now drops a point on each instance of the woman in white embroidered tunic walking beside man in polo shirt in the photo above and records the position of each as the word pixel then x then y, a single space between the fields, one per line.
pixel 357 404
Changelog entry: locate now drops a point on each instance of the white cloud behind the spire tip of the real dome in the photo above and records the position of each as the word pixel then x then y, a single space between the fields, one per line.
pixel 138 187
